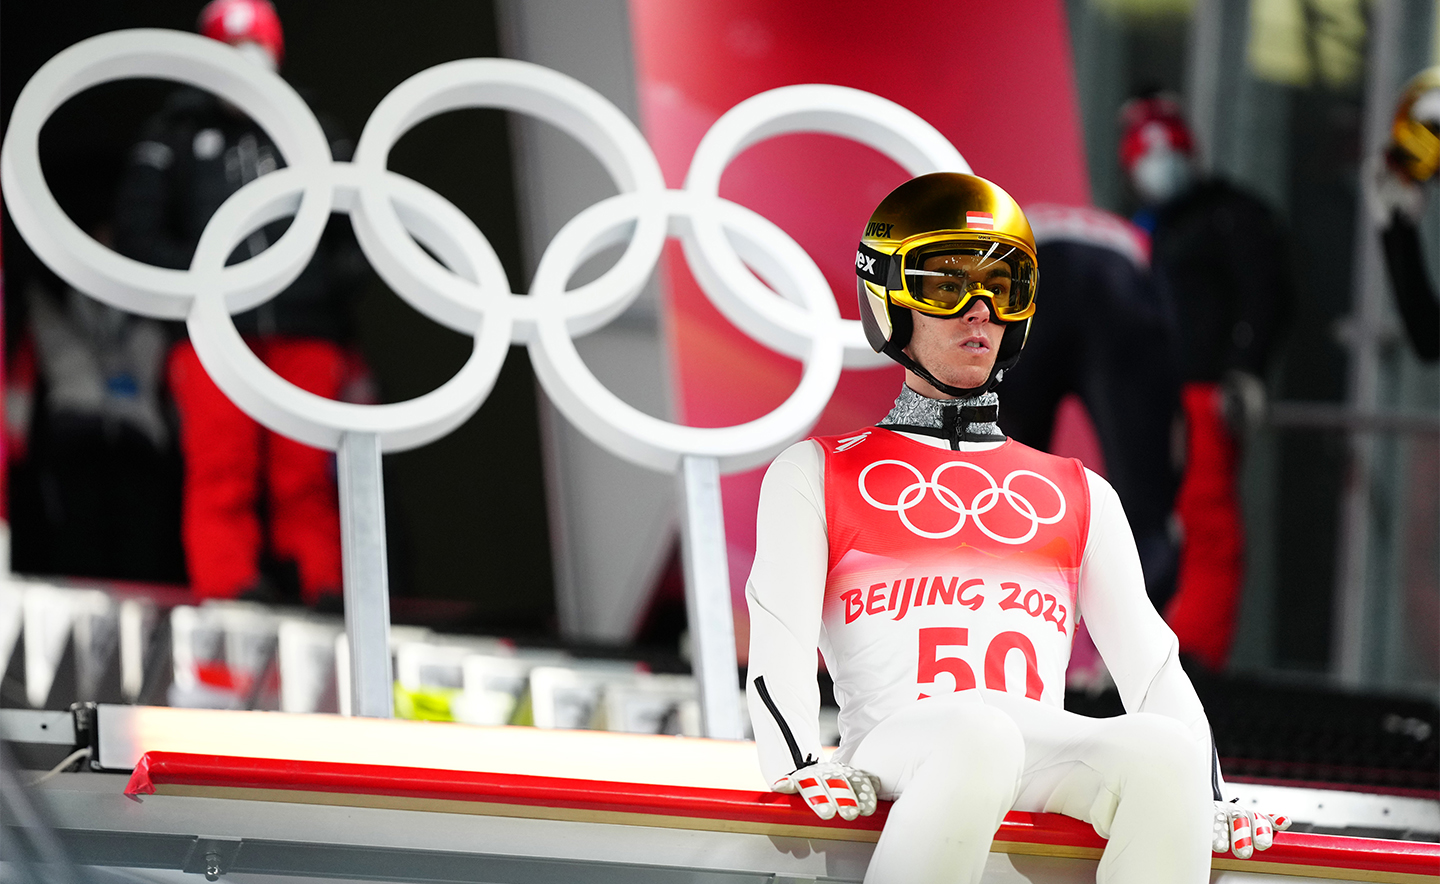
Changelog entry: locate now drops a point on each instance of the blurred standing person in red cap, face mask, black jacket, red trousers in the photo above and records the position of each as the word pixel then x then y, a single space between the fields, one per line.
pixel 1222 260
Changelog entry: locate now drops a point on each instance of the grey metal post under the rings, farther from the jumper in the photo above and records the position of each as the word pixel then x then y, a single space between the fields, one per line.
pixel 366 572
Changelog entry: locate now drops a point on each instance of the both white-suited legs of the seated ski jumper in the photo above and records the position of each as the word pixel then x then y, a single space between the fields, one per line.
pixel 960 762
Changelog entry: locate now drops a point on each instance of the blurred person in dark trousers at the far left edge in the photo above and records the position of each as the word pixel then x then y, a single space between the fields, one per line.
pixel 90 437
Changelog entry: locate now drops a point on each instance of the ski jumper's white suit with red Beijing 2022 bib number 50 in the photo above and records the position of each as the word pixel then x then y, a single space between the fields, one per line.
pixel 942 590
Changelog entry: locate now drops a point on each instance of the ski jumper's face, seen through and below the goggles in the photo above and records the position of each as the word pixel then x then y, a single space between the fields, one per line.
pixel 958 351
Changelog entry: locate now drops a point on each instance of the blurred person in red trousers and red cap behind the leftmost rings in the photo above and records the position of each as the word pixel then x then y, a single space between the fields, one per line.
pixel 192 156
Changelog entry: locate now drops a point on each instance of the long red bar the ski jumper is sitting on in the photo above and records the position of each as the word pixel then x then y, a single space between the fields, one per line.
pixel 168 768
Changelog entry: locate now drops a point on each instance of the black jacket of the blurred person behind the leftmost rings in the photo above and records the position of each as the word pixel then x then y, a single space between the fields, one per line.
pixel 194 155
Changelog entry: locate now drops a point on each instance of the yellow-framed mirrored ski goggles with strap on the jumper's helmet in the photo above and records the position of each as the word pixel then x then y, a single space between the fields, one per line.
pixel 942 274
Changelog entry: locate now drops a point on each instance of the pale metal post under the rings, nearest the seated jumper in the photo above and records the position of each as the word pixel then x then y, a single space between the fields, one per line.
pixel 708 598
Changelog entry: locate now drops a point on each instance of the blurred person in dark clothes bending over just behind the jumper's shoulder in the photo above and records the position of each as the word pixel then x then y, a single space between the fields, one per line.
pixel 1110 339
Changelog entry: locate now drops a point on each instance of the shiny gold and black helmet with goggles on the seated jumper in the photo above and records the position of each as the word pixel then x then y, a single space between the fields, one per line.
pixel 935 245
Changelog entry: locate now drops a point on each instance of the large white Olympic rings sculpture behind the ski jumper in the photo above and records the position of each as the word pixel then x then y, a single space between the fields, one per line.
pixel 467 290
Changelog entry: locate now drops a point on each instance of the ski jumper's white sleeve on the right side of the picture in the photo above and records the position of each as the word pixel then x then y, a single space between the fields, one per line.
pixel 1138 649
